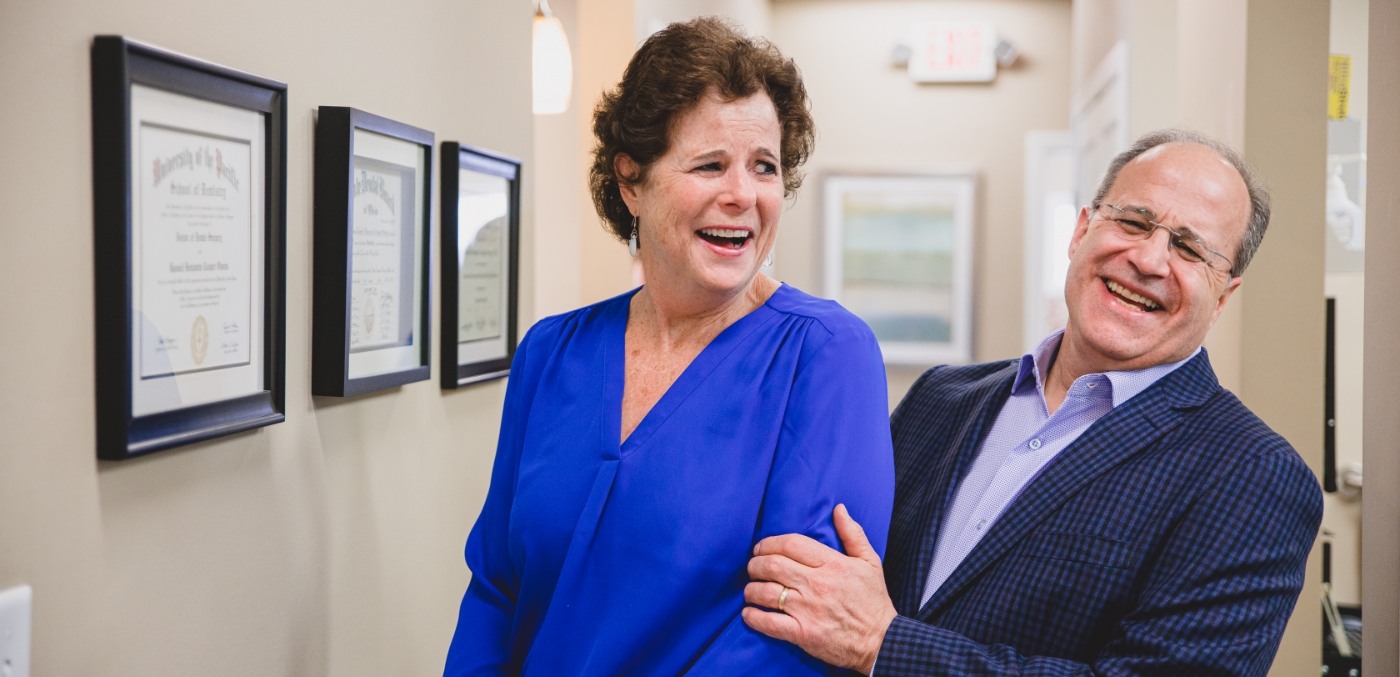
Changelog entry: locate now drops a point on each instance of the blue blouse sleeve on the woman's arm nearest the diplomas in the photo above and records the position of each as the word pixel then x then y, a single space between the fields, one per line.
pixel 481 644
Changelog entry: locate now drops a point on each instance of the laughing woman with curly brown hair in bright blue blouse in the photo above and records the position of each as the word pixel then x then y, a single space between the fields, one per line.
pixel 652 440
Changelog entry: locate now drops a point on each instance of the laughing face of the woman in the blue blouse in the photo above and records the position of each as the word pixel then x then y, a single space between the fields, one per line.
pixel 709 209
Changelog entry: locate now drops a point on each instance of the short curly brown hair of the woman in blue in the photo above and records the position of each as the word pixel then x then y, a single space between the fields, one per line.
pixel 668 76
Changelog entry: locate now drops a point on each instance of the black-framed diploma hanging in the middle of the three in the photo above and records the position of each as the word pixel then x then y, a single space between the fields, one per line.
pixel 370 299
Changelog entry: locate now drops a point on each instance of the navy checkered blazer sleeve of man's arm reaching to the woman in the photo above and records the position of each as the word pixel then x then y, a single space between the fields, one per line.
pixel 1214 604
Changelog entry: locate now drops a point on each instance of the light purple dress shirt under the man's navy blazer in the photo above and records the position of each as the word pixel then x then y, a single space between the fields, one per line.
pixel 1024 439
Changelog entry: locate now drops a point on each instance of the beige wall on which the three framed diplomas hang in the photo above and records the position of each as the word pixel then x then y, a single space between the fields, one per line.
pixel 327 545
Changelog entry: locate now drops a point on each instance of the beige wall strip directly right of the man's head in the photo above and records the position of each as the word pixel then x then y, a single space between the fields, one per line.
pixel 1284 317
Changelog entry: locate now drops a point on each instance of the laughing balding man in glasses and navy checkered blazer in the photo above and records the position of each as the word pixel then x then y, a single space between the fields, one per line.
pixel 1101 506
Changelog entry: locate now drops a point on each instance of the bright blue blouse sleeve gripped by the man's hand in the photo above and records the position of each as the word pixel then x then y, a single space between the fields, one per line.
pixel 834 448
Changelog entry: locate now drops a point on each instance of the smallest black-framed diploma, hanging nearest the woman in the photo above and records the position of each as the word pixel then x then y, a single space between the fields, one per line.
pixel 481 238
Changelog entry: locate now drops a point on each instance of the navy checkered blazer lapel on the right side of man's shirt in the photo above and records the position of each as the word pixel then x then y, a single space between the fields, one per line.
pixel 1119 436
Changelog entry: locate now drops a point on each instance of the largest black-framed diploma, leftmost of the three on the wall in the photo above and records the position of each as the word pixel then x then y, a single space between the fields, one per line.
pixel 190 185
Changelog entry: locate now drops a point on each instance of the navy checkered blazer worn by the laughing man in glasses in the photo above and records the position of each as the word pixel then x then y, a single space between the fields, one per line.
pixel 1168 541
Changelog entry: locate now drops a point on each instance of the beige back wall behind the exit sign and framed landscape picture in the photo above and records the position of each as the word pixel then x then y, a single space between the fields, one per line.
pixel 871 117
